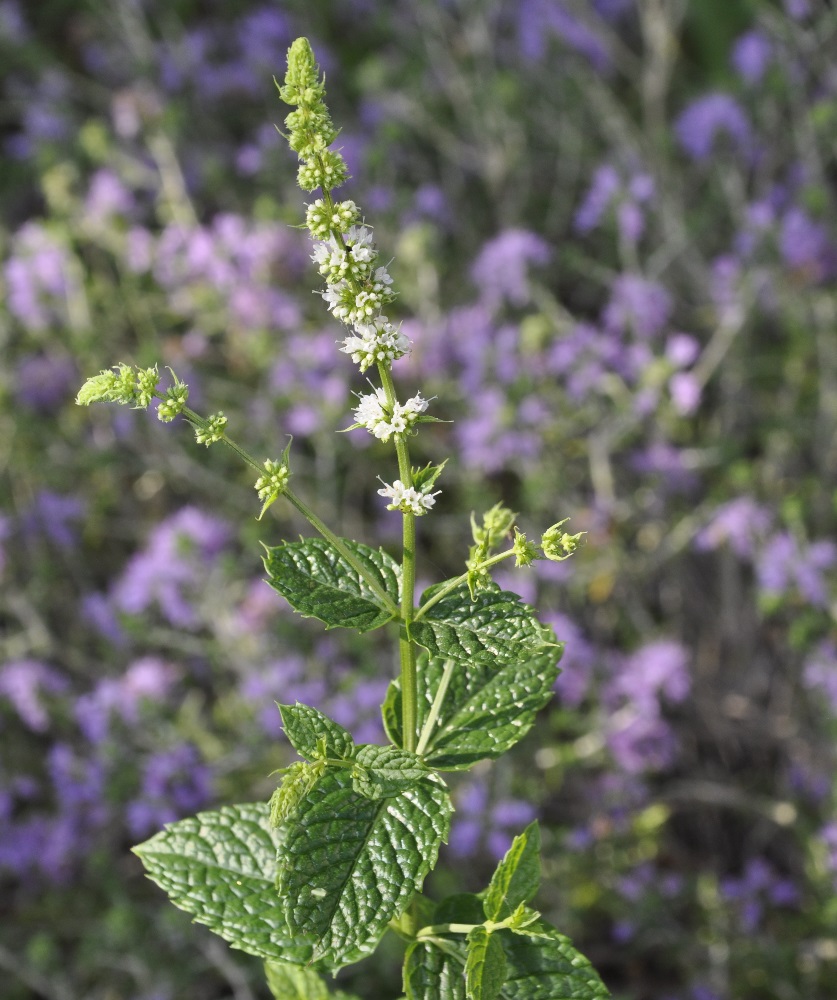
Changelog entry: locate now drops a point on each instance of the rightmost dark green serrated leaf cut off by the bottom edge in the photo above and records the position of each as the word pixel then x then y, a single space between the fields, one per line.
pixel 544 965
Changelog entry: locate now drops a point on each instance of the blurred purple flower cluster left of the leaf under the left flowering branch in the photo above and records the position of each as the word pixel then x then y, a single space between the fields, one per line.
pixel 172 564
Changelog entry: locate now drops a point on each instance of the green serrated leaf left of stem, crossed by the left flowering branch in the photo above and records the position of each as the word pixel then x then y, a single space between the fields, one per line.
pixel 318 582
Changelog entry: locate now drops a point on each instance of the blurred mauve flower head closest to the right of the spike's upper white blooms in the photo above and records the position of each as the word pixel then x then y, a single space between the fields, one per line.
pixel 501 269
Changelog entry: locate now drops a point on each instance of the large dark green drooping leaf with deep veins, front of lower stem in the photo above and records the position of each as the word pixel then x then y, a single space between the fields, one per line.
pixel 348 864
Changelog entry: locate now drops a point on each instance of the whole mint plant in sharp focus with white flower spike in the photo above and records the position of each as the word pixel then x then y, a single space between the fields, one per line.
pixel 311 880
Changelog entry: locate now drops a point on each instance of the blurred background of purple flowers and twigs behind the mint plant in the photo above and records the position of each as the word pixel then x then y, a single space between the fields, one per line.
pixel 612 225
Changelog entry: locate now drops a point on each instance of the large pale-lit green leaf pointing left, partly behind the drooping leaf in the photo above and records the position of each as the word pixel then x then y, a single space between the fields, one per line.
pixel 220 867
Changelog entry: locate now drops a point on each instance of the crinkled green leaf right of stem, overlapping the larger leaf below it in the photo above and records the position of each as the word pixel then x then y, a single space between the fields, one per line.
pixel 494 626
